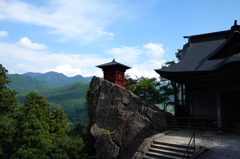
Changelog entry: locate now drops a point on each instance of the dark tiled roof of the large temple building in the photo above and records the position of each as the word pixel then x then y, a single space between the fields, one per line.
pixel 208 55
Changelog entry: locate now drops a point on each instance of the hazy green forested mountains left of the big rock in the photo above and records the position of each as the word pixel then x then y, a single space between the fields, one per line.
pixel 59 90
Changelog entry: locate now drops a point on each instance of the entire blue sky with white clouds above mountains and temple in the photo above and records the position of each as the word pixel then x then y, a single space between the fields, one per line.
pixel 73 36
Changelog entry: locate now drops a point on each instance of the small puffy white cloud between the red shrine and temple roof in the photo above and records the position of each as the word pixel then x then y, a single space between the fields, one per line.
pixel 154 50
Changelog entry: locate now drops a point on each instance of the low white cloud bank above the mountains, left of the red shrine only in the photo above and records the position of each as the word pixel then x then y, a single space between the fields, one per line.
pixel 19 59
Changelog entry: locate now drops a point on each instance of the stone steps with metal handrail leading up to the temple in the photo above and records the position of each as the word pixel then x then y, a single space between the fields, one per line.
pixel 163 150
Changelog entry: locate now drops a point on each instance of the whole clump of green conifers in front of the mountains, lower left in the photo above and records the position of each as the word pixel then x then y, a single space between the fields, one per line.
pixel 44 135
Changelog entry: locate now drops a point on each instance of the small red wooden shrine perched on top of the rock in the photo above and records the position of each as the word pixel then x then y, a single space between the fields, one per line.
pixel 114 72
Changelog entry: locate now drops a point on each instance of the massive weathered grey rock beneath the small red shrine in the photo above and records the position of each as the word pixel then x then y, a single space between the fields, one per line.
pixel 120 120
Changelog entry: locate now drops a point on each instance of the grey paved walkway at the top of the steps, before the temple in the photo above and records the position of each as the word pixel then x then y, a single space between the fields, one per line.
pixel 220 146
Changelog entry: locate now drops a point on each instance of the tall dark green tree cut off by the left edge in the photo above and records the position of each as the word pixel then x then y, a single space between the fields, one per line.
pixel 8 109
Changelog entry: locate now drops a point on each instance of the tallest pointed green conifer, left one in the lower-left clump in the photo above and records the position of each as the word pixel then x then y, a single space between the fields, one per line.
pixel 33 138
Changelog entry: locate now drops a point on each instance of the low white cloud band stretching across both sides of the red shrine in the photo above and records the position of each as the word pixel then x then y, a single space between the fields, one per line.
pixel 20 59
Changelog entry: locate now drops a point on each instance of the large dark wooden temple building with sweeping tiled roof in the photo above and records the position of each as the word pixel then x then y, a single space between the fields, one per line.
pixel 207 79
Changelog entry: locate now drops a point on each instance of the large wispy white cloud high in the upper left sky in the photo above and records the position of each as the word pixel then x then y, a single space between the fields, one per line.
pixel 73 20
